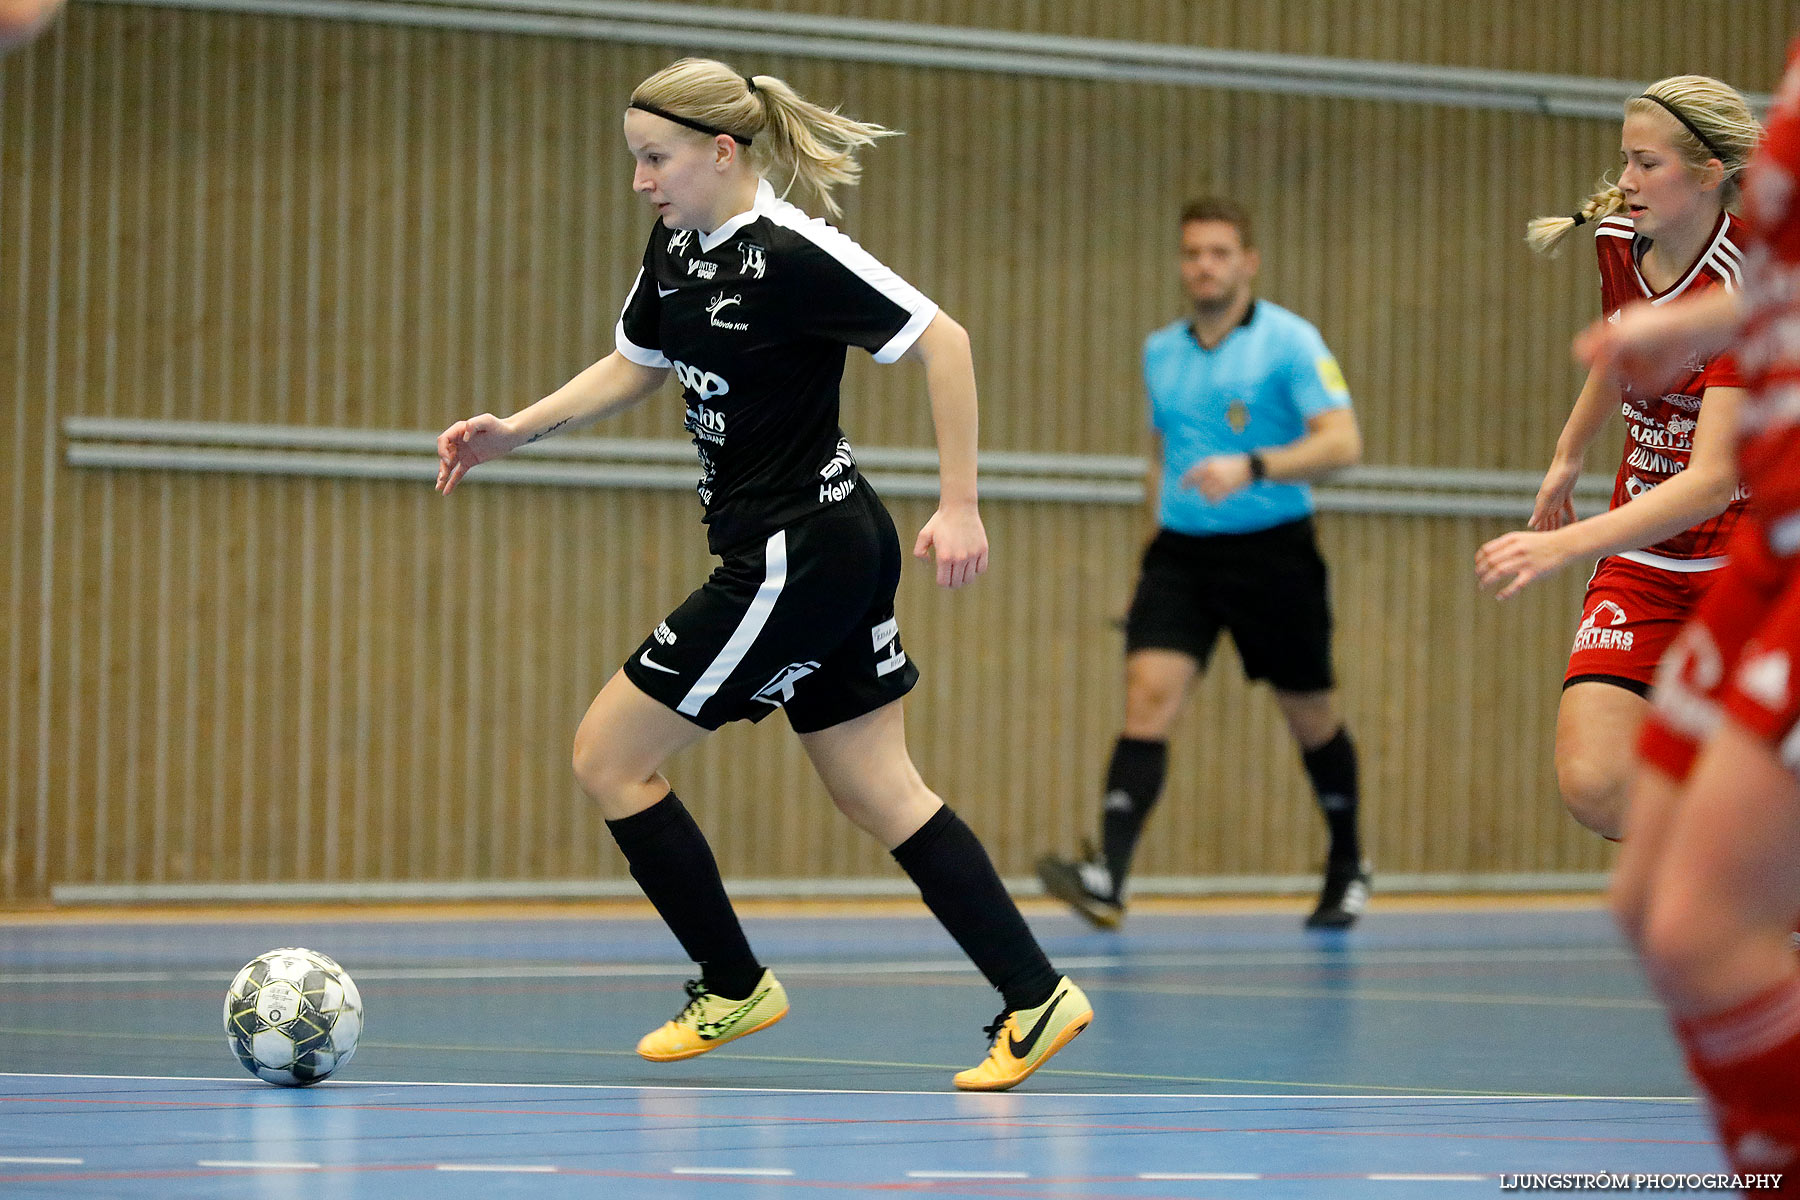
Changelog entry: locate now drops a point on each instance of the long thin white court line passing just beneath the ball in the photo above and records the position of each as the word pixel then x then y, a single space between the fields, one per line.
pixel 334 1084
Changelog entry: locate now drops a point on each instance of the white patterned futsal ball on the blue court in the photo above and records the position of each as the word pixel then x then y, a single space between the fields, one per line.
pixel 292 1017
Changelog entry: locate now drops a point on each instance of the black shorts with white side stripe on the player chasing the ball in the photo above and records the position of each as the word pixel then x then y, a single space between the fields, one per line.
pixel 802 622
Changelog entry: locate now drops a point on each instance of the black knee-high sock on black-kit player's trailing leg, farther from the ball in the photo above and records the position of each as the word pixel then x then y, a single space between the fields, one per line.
pixel 962 890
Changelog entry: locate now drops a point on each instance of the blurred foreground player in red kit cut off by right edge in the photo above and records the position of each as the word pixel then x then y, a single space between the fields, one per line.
pixel 1709 882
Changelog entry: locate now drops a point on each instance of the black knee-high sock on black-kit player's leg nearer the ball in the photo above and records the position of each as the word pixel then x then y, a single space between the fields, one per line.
pixel 678 872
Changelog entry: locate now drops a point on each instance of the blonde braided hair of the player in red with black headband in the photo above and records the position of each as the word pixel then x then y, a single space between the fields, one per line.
pixel 1713 123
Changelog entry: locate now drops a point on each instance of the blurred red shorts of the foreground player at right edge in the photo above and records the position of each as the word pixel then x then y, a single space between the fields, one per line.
pixel 1734 659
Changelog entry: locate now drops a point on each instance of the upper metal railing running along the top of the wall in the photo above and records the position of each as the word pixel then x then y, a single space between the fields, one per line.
pixel 998 51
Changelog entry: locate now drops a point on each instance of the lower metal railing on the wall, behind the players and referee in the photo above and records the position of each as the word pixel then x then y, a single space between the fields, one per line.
pixel 321 452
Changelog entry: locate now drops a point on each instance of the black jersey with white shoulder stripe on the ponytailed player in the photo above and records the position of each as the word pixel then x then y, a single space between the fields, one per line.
pixel 755 319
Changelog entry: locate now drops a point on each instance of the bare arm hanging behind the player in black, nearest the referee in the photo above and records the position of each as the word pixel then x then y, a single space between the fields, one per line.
pixel 955 533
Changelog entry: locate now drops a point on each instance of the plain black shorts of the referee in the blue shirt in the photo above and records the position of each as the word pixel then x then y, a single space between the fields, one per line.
pixel 1268 589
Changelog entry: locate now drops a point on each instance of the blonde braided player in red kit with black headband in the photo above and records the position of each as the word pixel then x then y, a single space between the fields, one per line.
pixel 1662 235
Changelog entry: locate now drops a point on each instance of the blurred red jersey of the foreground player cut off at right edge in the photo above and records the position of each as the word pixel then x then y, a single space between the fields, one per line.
pixel 1770 348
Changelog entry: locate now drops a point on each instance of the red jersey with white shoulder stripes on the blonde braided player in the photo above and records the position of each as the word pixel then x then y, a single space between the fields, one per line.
pixel 1660 429
